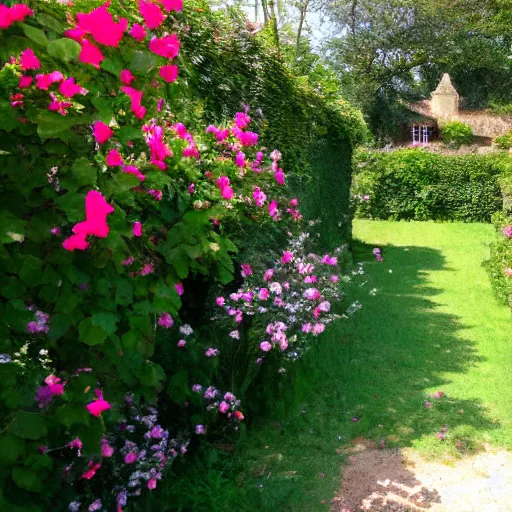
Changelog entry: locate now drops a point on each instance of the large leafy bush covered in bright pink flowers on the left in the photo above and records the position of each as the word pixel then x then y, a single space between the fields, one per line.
pixel 116 229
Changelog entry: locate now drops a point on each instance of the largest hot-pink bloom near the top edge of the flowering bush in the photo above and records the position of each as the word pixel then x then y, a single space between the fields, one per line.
pixel 101 25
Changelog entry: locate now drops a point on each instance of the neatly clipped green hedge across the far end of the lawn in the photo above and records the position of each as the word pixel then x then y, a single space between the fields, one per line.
pixel 413 184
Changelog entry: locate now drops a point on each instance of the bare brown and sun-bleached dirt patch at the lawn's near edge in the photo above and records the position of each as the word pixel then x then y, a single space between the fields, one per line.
pixel 401 481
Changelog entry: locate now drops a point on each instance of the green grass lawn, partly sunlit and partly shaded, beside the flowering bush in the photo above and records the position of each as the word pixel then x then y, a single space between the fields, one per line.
pixel 429 323
